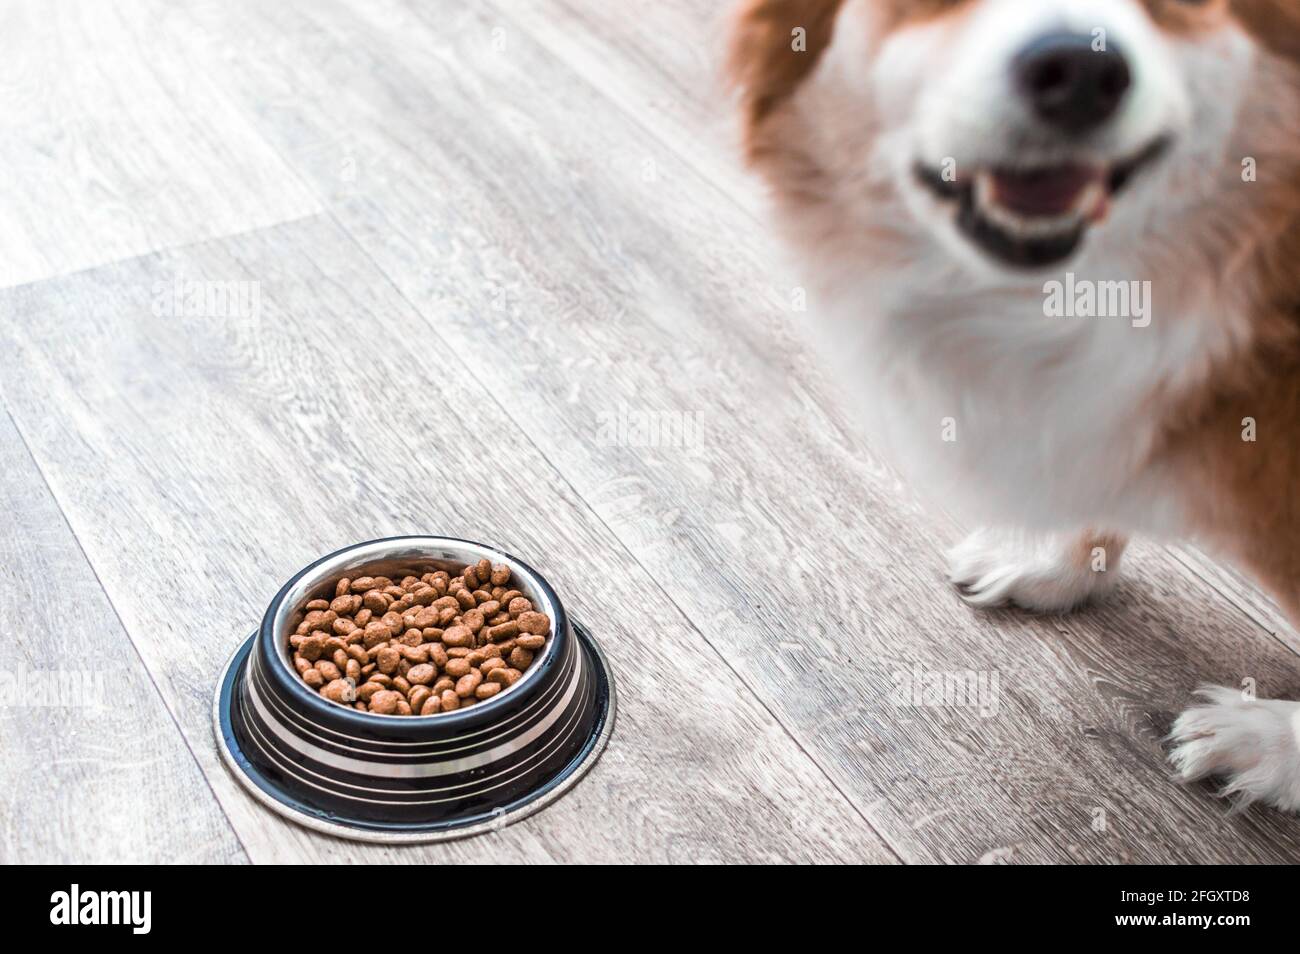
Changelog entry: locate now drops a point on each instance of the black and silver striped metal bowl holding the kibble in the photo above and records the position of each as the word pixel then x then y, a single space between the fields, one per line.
pixel 406 779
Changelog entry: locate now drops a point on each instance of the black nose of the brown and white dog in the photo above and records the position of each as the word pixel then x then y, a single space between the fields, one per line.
pixel 1071 85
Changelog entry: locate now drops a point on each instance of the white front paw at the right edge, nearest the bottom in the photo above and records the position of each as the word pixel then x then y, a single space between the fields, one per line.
pixel 1253 744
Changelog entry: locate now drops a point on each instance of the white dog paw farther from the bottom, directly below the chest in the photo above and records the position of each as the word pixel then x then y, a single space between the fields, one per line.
pixel 1046 574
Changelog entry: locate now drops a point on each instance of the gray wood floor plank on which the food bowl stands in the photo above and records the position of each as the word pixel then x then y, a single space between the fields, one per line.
pixel 229 450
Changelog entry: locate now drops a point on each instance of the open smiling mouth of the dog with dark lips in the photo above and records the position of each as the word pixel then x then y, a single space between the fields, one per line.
pixel 1035 216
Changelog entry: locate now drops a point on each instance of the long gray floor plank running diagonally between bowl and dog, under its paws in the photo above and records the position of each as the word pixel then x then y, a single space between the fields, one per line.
pixel 575 284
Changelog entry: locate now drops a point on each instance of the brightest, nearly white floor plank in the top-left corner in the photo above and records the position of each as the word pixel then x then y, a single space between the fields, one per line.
pixel 112 145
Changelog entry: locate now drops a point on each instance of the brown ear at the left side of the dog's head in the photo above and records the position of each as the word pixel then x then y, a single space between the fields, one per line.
pixel 775 45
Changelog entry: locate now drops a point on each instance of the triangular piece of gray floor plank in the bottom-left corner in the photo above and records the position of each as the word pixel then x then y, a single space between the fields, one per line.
pixel 94 767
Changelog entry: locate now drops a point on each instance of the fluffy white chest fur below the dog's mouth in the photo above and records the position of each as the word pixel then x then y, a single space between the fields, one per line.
pixel 1011 415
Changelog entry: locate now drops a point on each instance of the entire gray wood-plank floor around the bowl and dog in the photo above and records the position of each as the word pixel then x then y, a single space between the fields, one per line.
pixel 479 235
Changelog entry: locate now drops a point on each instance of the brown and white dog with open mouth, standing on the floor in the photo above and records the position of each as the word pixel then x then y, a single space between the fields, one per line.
pixel 974 189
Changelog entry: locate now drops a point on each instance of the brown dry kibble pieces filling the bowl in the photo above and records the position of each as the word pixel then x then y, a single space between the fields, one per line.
pixel 422 645
